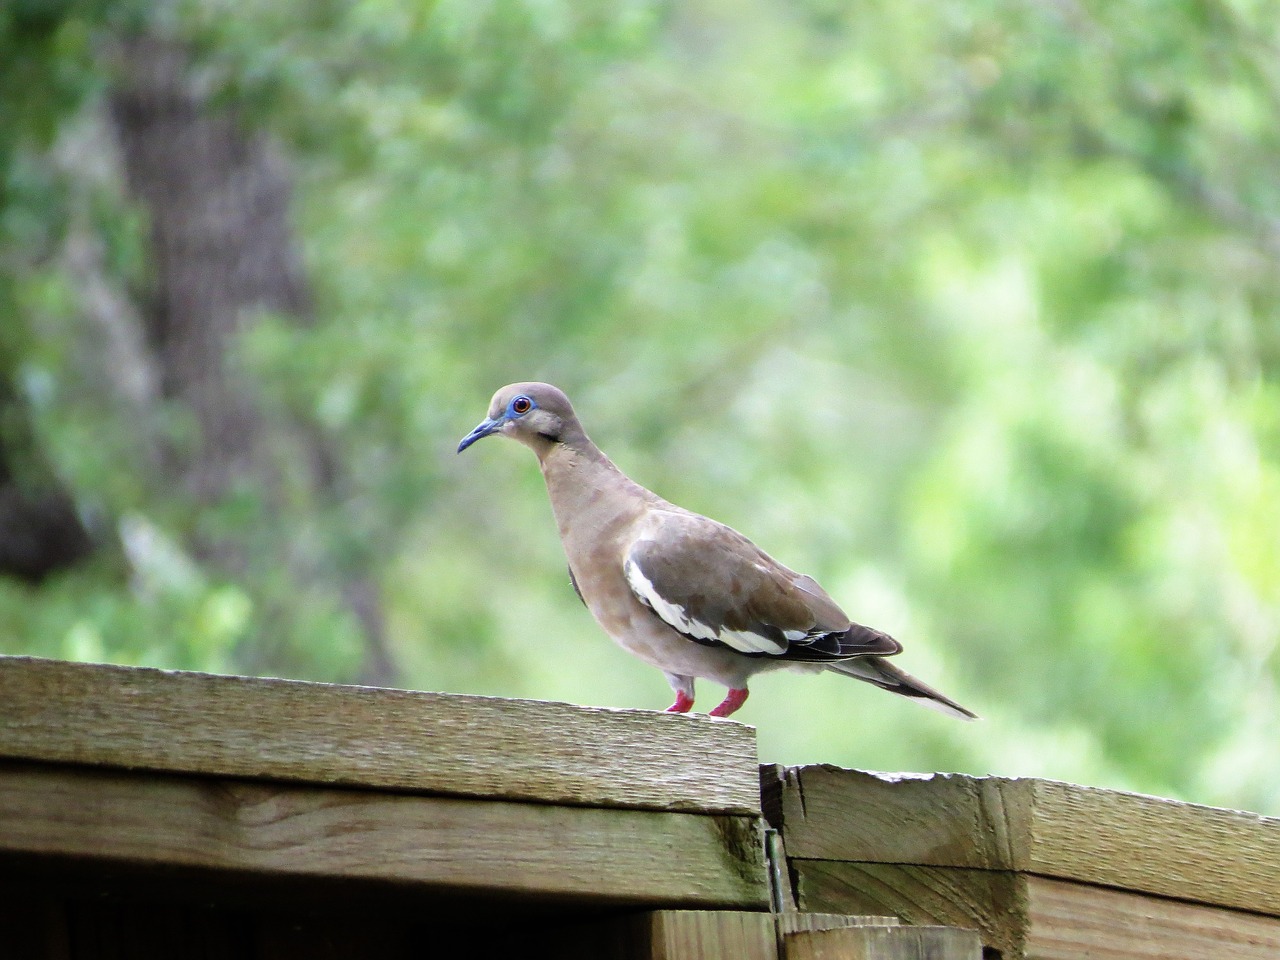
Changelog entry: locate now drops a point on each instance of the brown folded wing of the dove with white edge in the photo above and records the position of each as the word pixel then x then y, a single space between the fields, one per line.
pixel 717 588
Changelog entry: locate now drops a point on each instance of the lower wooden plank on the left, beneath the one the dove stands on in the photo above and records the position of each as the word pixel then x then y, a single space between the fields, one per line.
pixel 458 847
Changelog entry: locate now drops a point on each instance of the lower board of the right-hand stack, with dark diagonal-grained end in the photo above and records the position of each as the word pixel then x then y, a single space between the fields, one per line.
pixel 1023 916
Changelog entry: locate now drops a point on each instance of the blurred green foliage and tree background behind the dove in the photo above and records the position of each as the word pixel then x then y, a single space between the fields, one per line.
pixel 966 308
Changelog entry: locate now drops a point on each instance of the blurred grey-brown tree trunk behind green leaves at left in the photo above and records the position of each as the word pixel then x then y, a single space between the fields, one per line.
pixel 218 196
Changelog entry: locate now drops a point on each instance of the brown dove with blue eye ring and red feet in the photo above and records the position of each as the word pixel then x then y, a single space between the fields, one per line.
pixel 683 592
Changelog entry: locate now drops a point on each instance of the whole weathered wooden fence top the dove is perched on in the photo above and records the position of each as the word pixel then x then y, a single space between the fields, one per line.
pixel 153 815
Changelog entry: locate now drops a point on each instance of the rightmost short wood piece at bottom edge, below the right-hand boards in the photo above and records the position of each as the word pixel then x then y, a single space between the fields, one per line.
pixel 884 944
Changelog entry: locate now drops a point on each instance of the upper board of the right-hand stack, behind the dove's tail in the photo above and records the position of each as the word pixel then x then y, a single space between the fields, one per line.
pixel 1058 830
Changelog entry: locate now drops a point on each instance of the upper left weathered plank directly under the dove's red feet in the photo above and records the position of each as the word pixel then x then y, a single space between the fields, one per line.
pixel 373 738
